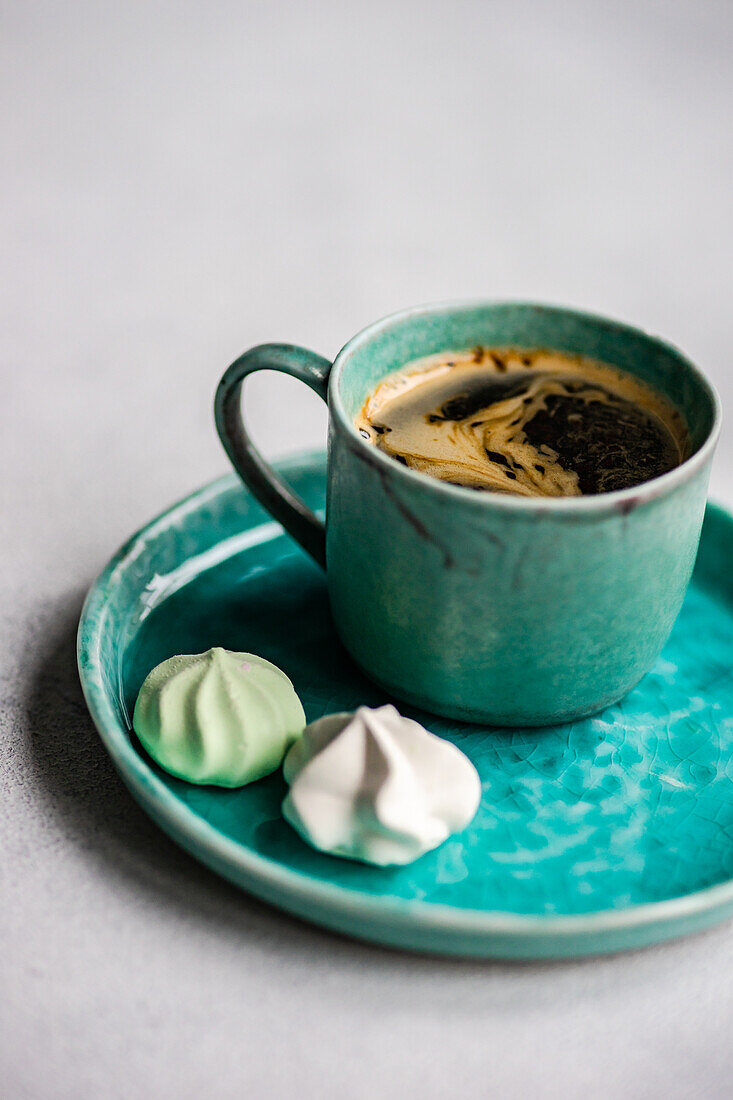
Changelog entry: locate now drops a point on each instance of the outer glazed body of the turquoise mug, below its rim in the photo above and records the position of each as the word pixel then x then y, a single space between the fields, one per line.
pixel 502 617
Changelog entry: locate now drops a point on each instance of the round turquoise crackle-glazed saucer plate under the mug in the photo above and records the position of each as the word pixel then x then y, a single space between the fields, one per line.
pixel 603 835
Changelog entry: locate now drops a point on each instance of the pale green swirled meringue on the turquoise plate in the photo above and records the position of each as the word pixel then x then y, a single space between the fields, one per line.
pixel 218 718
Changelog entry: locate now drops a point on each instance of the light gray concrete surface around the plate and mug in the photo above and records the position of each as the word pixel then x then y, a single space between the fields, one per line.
pixel 181 181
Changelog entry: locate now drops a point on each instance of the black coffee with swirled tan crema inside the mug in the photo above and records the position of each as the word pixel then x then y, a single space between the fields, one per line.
pixel 527 423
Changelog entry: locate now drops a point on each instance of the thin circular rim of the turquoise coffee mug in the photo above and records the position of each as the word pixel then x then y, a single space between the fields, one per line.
pixel 595 504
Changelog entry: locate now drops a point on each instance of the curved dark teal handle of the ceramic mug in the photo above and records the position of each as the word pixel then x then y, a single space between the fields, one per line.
pixel 272 493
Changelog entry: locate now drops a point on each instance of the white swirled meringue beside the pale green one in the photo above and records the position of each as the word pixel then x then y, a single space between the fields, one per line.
pixel 377 787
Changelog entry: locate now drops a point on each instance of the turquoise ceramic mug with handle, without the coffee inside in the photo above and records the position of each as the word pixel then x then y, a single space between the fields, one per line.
pixel 480 607
